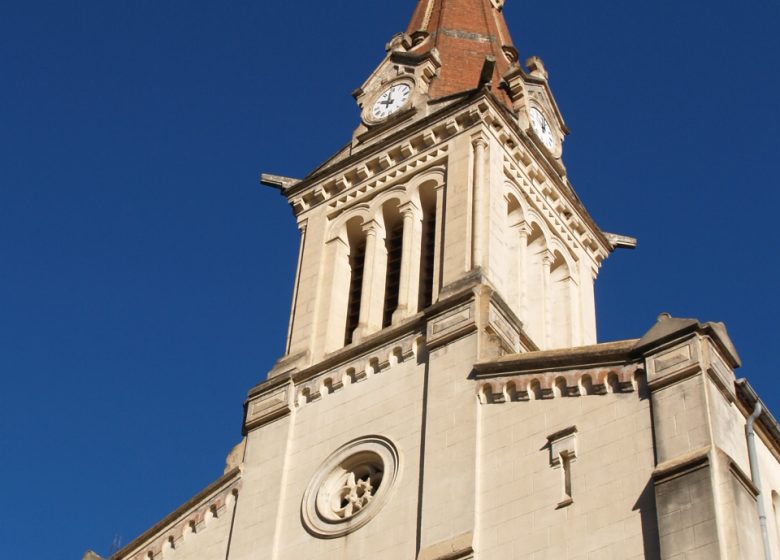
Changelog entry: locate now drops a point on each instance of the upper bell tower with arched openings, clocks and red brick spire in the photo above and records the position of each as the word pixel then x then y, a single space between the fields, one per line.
pixel 454 175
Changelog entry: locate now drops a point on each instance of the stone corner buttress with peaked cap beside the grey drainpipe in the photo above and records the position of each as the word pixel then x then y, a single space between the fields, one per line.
pixel 705 499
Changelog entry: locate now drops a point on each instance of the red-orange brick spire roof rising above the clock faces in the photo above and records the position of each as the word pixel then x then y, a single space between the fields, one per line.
pixel 464 32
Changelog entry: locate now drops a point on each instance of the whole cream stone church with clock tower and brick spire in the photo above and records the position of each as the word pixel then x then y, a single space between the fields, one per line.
pixel 442 394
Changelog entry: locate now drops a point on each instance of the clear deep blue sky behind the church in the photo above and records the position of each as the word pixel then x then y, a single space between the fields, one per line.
pixel 145 277
